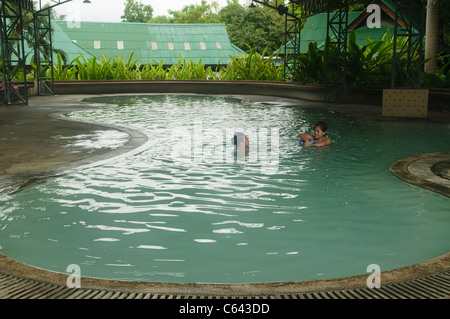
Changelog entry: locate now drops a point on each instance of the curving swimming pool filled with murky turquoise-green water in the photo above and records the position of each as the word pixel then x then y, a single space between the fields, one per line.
pixel 185 209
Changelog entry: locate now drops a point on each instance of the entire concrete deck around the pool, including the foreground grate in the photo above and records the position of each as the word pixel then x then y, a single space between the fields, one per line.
pixel 32 149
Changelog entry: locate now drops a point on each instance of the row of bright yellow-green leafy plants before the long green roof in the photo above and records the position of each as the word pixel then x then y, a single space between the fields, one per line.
pixel 252 66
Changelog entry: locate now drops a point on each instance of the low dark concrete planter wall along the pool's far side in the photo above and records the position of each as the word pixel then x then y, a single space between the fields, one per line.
pixel 438 98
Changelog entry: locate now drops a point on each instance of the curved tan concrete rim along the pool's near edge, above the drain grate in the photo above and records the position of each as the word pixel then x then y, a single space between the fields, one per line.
pixel 390 278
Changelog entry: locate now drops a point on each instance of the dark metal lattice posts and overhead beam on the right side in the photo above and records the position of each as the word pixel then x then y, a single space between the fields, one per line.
pixel 337 24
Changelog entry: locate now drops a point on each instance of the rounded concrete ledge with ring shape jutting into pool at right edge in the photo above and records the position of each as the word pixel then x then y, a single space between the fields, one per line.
pixel 418 170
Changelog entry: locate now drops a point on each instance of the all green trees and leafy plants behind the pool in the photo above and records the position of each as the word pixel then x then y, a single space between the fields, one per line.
pixel 258 31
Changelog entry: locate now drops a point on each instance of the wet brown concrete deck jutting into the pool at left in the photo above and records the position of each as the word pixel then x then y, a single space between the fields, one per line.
pixel 36 142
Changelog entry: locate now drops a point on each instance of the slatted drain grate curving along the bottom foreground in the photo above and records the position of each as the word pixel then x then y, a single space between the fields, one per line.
pixel 431 287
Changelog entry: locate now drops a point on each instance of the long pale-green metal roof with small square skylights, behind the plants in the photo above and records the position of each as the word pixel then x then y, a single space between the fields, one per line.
pixel 149 41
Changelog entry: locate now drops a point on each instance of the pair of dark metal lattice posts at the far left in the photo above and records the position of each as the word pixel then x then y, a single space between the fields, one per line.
pixel 12 13
